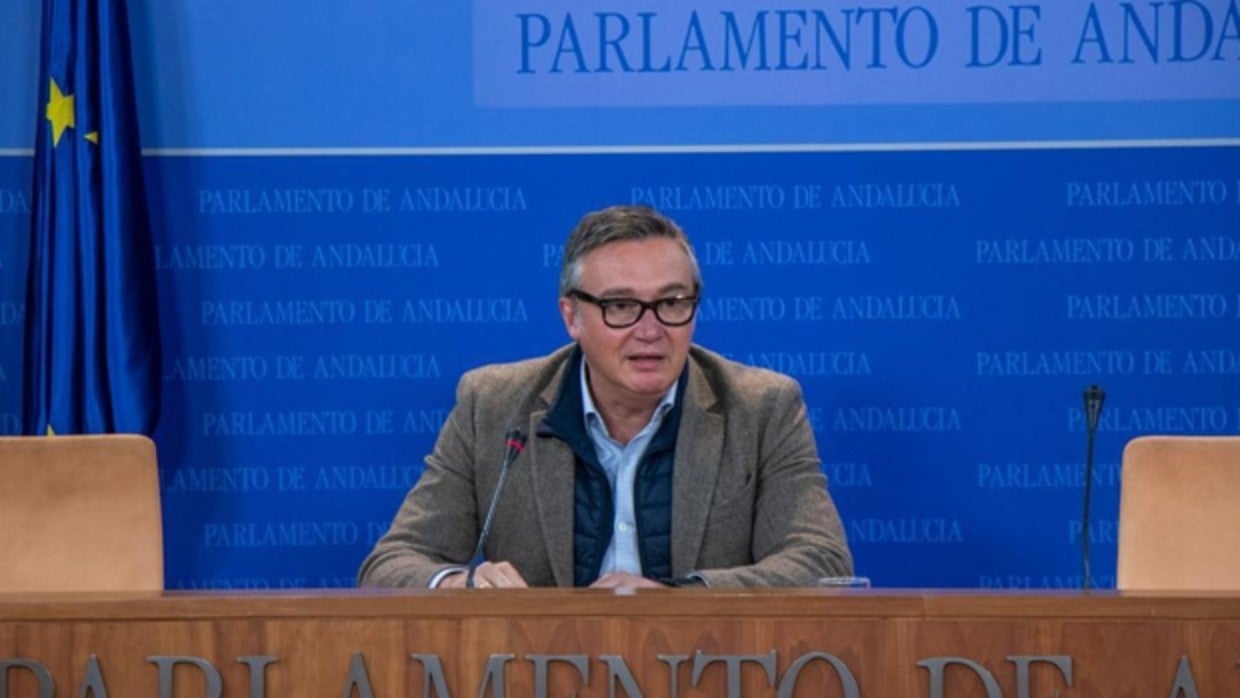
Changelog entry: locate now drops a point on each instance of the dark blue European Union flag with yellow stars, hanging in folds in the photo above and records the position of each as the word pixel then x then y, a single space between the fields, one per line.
pixel 92 325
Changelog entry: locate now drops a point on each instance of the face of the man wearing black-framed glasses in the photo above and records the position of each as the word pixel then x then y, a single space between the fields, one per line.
pixel 634 365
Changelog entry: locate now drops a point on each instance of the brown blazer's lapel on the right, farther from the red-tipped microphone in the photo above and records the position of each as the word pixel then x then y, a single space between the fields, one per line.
pixel 699 448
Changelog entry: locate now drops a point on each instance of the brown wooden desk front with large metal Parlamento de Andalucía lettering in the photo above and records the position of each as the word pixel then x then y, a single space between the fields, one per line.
pixel 683 643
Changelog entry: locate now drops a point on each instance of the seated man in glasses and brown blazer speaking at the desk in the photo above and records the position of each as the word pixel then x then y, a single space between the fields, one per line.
pixel 650 461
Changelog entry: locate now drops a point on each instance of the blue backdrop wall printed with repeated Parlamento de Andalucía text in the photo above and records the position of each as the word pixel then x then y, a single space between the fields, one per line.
pixel 354 204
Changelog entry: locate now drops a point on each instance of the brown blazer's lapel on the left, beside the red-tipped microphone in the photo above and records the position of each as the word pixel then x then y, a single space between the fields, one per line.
pixel 554 474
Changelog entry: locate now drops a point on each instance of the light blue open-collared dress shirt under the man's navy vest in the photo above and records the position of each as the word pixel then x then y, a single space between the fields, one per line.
pixel 621 463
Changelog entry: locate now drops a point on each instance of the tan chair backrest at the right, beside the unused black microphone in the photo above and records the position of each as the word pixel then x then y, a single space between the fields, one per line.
pixel 1180 514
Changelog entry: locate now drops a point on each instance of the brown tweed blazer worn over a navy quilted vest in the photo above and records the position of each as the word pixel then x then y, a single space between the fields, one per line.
pixel 750 508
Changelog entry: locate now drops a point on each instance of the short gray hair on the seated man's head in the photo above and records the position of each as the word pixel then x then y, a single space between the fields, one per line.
pixel 619 224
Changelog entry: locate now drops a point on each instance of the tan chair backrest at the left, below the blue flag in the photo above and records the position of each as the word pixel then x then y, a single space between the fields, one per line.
pixel 80 514
